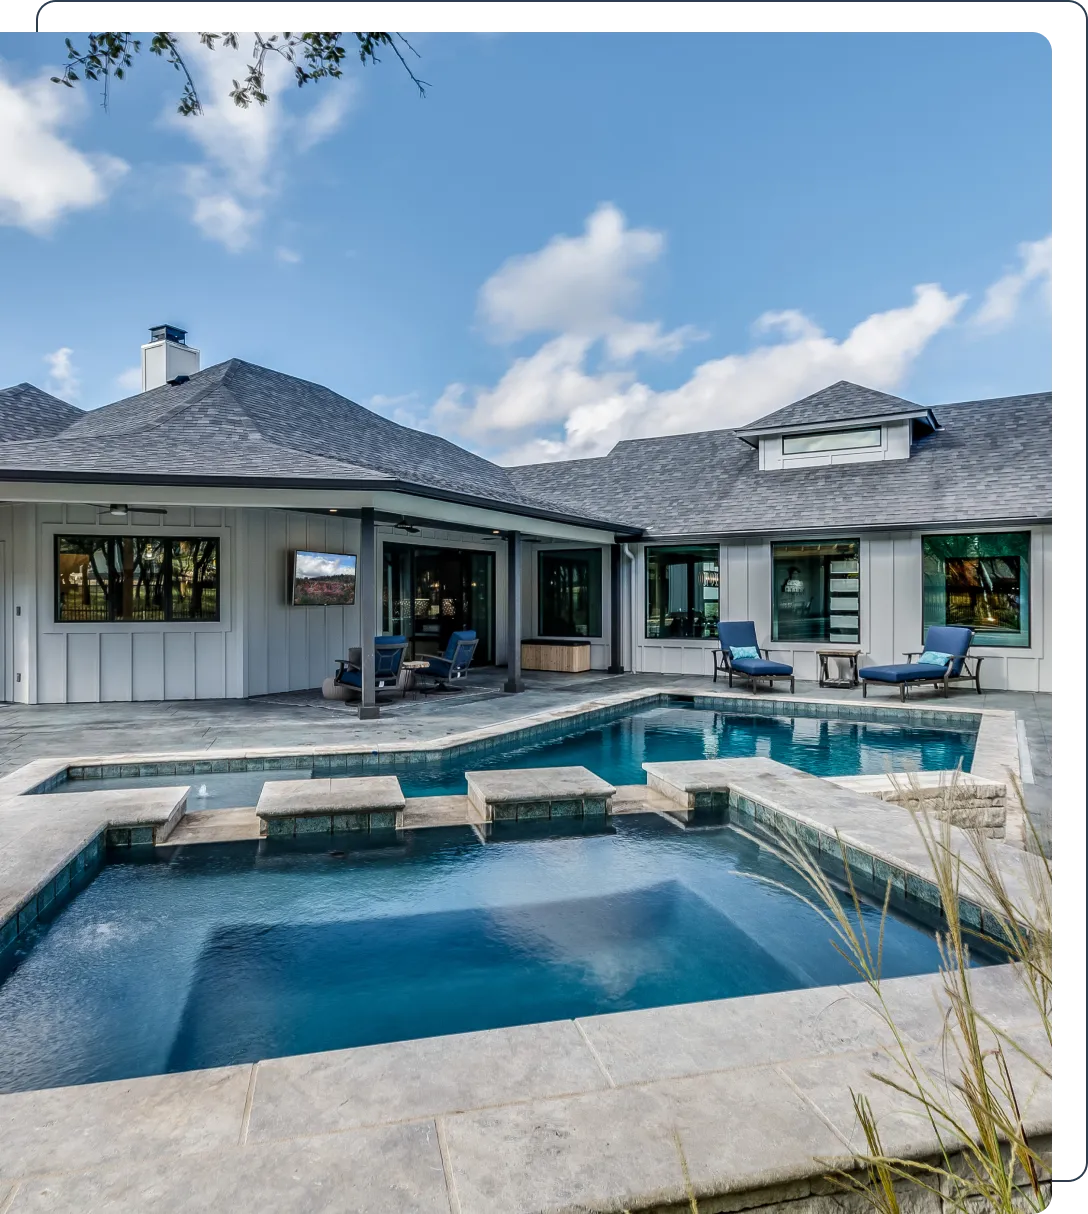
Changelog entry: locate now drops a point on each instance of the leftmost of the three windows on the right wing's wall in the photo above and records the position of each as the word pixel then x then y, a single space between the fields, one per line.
pixel 683 591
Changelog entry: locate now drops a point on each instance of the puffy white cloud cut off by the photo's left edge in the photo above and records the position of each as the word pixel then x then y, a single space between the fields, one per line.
pixel 42 175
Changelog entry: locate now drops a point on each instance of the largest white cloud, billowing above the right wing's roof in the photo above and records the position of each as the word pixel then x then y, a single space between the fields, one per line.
pixel 563 402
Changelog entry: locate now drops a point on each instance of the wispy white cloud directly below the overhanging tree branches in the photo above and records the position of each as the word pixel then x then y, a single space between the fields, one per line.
pixel 247 152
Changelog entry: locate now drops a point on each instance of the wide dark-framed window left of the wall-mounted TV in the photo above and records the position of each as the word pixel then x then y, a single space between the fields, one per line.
pixel 105 580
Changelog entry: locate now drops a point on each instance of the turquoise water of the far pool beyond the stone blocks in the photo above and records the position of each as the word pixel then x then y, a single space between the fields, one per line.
pixel 617 750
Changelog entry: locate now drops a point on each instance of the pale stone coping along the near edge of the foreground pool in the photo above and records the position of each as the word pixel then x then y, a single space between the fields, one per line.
pixel 583 1115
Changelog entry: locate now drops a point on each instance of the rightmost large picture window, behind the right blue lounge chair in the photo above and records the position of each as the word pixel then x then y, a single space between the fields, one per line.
pixel 979 581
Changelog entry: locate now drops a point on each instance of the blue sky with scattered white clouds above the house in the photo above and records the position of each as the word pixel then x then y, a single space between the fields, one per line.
pixel 575 239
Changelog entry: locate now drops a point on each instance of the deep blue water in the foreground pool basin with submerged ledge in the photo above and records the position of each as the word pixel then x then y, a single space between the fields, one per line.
pixel 177 958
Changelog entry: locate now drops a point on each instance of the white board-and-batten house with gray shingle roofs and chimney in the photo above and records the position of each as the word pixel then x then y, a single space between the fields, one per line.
pixel 148 549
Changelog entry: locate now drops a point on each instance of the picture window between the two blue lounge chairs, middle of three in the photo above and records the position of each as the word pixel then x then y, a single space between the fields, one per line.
pixel 815 592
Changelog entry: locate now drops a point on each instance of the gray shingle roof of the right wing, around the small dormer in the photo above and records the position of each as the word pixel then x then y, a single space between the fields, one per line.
pixel 993 461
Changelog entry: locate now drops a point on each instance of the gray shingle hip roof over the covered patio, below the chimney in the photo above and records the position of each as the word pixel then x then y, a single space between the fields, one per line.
pixel 245 422
